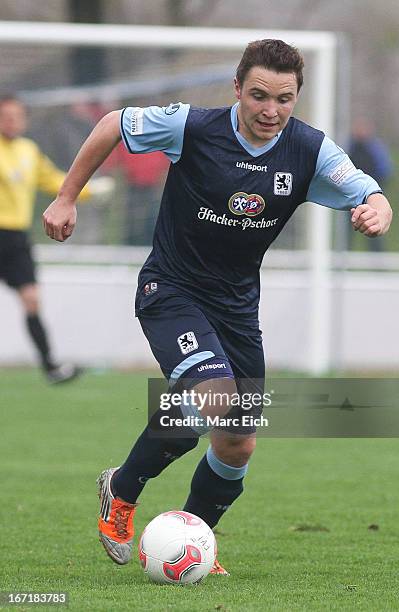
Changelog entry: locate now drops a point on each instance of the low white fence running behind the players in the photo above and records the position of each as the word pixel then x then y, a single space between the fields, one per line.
pixel 89 309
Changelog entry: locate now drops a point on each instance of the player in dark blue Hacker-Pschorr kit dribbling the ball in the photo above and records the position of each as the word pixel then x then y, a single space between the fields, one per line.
pixel 237 176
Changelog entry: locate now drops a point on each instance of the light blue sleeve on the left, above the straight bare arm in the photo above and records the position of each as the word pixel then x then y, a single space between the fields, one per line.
pixel 155 128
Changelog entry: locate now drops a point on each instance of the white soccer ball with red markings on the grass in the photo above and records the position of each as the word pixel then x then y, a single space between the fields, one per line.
pixel 177 547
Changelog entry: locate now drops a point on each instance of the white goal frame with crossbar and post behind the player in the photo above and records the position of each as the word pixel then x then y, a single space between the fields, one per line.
pixel 322 83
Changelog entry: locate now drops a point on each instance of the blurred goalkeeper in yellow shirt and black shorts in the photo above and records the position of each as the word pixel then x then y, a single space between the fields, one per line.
pixel 24 169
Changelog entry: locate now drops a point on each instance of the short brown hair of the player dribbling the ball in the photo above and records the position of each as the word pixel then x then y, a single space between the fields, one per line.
pixel 272 54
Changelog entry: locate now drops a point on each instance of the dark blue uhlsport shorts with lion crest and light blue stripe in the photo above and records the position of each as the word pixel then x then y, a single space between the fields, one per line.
pixel 192 344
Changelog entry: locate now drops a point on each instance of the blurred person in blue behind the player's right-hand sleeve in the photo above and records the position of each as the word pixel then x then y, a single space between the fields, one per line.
pixel 370 154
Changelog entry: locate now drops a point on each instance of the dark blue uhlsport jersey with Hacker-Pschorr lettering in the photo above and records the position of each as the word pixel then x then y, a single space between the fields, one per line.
pixel 223 204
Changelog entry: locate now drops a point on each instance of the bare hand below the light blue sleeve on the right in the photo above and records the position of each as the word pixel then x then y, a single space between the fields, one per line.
pixel 374 217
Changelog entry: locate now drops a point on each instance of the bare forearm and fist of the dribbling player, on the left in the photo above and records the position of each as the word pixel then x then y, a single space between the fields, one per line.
pixel 60 217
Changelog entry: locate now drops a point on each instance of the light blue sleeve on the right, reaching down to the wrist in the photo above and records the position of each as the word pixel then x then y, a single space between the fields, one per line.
pixel 337 183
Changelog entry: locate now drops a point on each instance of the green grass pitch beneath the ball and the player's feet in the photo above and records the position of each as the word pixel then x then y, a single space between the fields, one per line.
pixel 299 538
